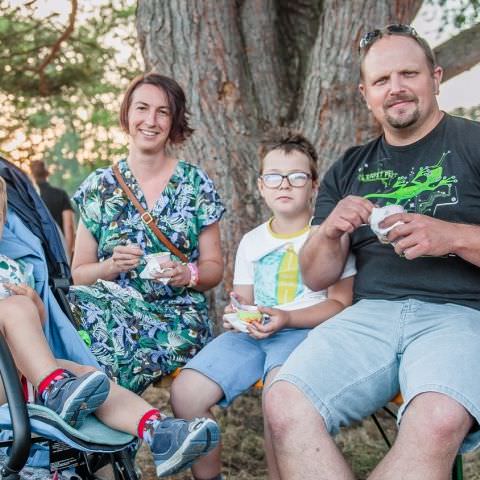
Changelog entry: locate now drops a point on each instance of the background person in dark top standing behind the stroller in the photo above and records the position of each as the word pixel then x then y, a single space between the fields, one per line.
pixel 57 202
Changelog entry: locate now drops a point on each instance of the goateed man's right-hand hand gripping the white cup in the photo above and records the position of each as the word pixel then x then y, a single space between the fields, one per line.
pixel 420 235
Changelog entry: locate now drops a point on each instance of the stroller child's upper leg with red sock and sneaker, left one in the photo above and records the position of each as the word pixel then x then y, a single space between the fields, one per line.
pixel 72 398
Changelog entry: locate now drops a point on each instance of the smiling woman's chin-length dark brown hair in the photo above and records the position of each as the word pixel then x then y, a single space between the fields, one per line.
pixel 180 130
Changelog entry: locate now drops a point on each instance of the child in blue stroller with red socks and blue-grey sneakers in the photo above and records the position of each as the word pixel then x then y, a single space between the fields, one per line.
pixel 74 391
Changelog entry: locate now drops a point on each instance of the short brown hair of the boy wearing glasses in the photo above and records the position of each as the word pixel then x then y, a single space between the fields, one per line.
pixel 287 141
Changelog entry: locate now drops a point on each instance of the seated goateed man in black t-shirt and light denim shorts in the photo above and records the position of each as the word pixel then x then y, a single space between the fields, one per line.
pixel 415 326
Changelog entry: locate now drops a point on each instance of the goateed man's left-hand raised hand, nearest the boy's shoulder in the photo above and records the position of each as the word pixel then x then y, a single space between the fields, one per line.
pixel 350 213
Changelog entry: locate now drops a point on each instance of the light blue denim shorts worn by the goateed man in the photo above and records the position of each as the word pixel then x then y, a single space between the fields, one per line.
pixel 354 363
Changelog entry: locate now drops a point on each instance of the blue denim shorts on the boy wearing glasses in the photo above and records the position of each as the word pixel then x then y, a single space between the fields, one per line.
pixel 236 361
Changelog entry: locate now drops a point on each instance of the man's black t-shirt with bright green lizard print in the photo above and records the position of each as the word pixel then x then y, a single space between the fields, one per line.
pixel 438 176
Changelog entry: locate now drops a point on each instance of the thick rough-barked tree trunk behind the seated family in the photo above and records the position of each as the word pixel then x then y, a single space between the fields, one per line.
pixel 251 65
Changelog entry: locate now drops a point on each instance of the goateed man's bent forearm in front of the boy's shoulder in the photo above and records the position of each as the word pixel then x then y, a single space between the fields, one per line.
pixel 322 259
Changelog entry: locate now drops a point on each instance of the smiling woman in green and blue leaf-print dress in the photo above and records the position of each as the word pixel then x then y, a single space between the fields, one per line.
pixel 140 329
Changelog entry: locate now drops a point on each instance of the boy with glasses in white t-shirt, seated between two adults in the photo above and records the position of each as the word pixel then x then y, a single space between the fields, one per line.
pixel 267 274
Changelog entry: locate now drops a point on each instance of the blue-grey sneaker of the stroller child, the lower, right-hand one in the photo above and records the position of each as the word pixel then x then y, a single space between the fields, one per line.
pixel 178 443
